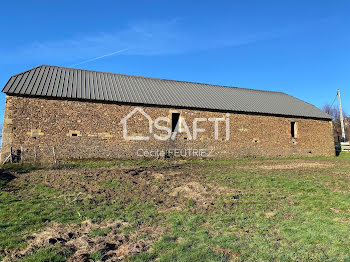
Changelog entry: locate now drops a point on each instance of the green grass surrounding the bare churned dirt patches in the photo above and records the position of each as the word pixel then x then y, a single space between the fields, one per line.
pixel 301 214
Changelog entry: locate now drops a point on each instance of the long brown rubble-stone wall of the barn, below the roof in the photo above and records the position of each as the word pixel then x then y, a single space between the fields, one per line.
pixel 78 129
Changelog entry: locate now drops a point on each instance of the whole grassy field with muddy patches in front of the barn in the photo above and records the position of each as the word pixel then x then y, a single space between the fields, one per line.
pixel 238 210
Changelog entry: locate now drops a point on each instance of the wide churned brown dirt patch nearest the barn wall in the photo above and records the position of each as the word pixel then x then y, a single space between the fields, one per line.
pixel 166 187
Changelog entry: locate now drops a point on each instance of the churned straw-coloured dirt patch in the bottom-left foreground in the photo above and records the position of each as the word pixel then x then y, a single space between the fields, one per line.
pixel 112 244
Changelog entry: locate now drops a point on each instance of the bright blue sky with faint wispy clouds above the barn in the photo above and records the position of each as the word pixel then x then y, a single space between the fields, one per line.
pixel 298 47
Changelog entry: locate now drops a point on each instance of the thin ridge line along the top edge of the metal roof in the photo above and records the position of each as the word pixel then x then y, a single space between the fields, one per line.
pixel 163 79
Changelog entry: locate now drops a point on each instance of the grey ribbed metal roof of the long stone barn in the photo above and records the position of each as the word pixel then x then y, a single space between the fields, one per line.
pixel 70 83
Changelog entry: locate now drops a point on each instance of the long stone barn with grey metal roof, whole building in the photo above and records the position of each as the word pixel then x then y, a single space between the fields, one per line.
pixel 55 113
